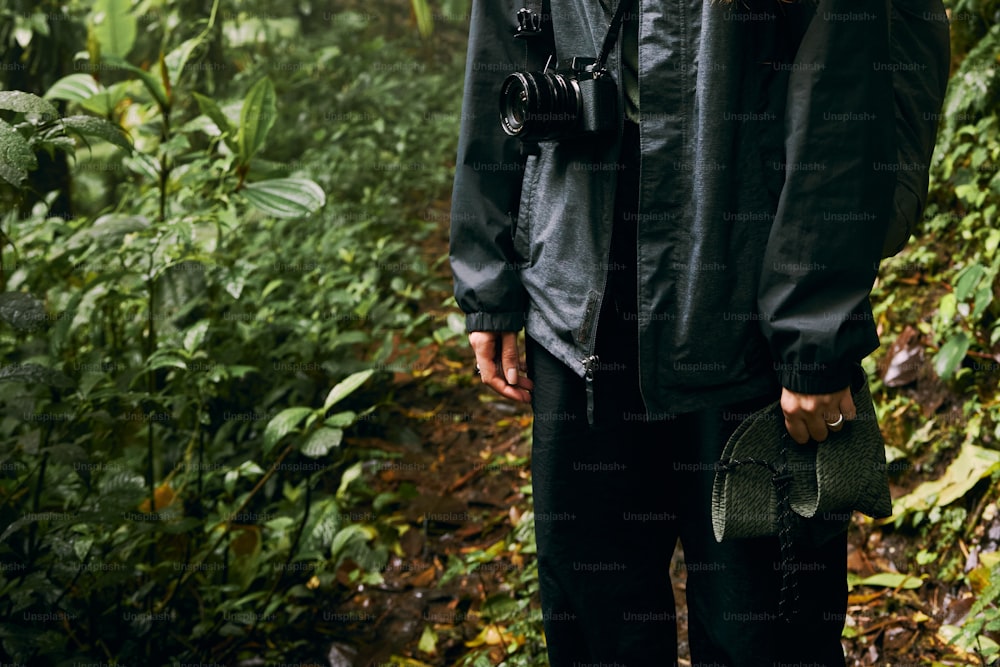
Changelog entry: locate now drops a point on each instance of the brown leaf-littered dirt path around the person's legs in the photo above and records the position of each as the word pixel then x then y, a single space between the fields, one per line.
pixel 467 453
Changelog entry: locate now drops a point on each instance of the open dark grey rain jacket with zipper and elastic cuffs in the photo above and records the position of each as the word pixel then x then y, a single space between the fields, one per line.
pixel 784 149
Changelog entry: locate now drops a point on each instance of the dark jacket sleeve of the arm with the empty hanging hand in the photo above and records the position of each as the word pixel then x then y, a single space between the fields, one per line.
pixel 488 173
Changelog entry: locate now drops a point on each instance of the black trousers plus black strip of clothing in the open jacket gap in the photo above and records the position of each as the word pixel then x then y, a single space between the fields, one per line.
pixel 611 501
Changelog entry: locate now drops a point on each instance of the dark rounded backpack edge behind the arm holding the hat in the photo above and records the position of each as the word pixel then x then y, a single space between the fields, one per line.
pixel 921 51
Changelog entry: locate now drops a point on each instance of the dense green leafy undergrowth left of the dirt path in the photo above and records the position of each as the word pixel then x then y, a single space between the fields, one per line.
pixel 184 361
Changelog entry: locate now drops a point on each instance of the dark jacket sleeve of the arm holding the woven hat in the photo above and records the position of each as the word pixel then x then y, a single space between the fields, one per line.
pixel 827 236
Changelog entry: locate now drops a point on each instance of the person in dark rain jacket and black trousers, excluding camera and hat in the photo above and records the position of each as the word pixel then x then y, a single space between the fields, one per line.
pixel 711 251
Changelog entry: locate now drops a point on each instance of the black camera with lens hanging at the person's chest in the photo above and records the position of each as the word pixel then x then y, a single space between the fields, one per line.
pixel 555 104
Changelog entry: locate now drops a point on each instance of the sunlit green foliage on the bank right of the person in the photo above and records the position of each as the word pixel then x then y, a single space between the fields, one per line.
pixel 945 284
